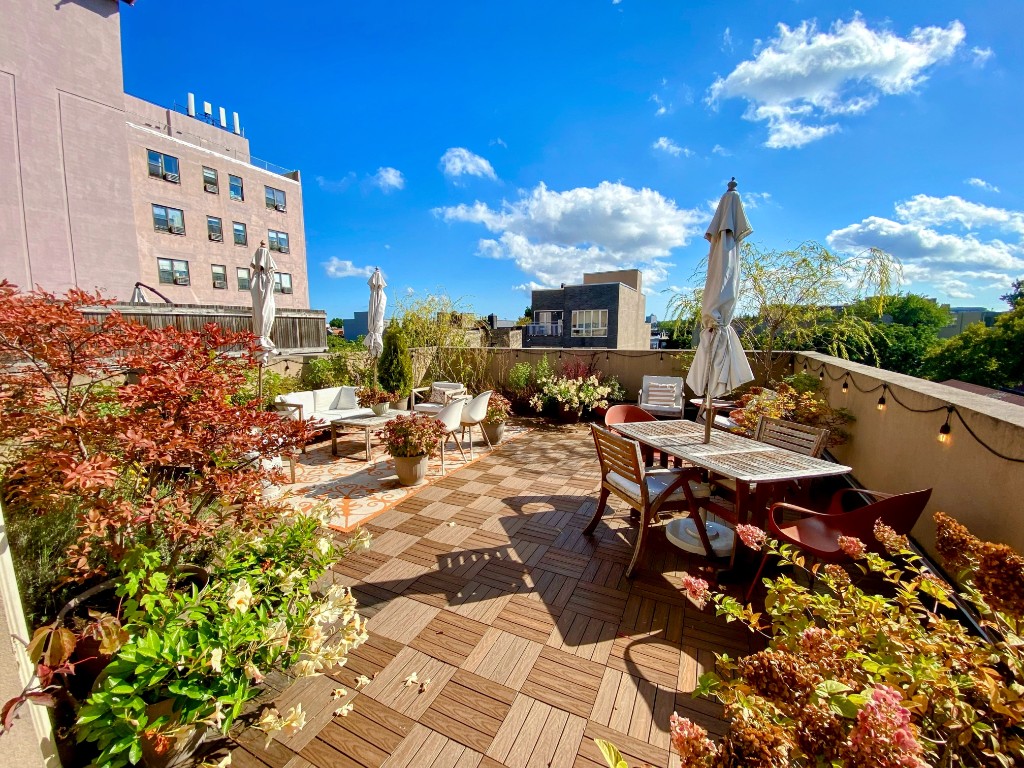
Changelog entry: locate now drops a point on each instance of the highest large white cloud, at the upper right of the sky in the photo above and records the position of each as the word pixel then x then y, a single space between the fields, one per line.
pixel 804 78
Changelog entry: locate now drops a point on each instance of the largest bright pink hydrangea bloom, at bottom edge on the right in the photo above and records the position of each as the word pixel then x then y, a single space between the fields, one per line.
pixel 883 736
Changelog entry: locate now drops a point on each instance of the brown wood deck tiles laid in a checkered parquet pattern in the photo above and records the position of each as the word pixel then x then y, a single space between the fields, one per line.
pixel 533 642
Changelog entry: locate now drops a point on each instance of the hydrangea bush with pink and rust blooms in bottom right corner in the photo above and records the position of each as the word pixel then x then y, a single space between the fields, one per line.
pixel 855 679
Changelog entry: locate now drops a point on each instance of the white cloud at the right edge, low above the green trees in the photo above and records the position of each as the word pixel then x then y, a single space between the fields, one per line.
pixel 947 245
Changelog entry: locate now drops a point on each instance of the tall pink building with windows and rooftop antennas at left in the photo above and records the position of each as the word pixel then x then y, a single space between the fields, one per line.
pixel 101 191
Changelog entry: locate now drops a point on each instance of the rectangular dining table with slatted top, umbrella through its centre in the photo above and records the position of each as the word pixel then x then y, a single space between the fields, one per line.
pixel 758 468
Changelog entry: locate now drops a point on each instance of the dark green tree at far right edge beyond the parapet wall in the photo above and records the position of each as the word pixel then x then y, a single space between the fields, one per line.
pixel 991 357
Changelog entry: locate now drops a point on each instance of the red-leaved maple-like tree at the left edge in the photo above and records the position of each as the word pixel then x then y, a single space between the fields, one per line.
pixel 165 460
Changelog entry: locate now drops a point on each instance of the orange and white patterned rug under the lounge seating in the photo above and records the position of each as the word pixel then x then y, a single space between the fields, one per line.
pixel 359 491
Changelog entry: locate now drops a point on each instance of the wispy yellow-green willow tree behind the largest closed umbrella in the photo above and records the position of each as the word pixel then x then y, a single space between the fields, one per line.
pixel 800 300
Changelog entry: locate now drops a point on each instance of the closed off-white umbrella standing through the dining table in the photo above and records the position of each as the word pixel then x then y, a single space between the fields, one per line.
pixel 720 365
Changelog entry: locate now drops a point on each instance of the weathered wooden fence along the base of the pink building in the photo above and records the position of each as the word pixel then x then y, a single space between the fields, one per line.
pixel 294 330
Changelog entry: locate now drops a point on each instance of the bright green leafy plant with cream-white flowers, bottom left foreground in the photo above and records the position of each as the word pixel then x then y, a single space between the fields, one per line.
pixel 188 658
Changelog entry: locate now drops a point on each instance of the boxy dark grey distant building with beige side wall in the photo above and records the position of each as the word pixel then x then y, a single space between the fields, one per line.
pixel 607 311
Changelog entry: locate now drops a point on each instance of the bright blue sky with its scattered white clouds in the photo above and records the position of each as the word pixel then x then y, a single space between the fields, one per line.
pixel 481 148
